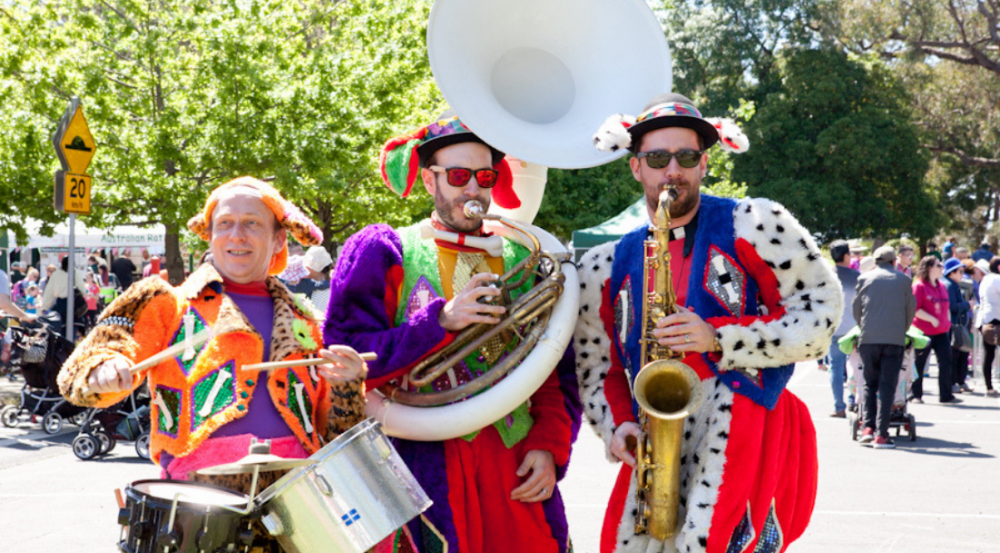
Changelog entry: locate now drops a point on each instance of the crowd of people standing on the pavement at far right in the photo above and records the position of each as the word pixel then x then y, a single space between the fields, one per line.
pixel 946 299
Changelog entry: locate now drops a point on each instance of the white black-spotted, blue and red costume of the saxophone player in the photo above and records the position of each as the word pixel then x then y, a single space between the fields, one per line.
pixel 748 456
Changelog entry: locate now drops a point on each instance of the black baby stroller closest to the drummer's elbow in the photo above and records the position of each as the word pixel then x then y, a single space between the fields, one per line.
pixel 126 420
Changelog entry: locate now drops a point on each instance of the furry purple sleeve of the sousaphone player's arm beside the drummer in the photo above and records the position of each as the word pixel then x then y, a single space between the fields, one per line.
pixel 356 315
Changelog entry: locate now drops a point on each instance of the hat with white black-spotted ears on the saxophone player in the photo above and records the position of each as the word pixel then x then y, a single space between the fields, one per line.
pixel 669 110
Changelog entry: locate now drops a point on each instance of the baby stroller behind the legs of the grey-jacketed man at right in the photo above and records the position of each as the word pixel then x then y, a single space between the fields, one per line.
pixel 900 418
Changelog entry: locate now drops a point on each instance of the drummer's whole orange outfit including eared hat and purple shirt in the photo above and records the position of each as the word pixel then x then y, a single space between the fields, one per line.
pixel 197 393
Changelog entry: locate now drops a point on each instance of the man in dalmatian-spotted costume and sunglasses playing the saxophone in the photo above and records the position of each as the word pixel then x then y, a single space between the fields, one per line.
pixel 753 296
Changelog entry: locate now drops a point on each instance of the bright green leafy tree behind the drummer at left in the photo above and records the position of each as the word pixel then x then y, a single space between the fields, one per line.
pixel 182 96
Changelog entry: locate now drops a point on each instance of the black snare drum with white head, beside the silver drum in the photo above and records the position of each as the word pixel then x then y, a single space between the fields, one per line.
pixel 203 518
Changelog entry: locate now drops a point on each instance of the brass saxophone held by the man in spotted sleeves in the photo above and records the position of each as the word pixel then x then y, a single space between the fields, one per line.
pixel 666 390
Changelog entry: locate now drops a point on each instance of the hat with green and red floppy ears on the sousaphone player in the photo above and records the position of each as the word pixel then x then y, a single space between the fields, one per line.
pixel 403 156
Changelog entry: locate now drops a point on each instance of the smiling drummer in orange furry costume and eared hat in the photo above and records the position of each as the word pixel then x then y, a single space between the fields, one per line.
pixel 205 407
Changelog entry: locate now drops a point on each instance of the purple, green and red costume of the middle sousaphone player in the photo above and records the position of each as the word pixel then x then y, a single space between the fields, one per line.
pixel 386 294
